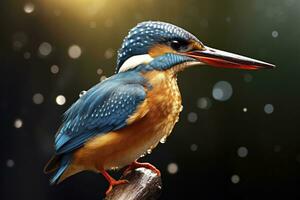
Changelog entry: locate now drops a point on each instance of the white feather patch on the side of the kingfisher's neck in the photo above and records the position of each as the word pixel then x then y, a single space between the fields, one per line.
pixel 134 61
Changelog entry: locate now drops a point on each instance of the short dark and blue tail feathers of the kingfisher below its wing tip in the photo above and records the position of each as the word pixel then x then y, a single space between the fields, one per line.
pixel 59 164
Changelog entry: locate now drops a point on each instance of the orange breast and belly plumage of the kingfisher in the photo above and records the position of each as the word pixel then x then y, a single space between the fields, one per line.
pixel 153 120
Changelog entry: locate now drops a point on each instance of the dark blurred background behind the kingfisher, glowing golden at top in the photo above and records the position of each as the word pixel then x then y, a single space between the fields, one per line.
pixel 221 152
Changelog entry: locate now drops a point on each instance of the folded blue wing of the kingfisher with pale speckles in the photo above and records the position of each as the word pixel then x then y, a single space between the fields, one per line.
pixel 103 108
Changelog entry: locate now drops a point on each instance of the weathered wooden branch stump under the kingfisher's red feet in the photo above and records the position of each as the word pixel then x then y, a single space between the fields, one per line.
pixel 143 184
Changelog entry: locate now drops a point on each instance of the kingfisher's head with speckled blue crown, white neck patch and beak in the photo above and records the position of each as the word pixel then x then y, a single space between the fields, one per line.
pixel 166 45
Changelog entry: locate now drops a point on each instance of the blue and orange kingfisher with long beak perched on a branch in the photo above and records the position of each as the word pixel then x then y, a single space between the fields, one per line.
pixel 121 118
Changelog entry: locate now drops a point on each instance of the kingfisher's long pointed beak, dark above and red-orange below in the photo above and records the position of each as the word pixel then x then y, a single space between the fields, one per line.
pixel 218 58
